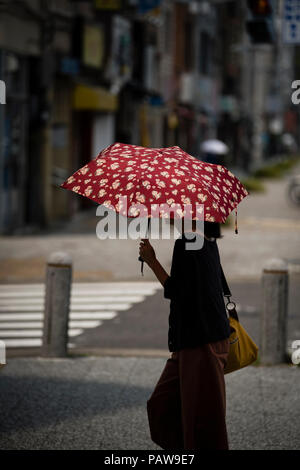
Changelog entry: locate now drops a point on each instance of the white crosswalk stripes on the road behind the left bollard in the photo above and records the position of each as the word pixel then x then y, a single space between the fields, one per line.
pixel 91 303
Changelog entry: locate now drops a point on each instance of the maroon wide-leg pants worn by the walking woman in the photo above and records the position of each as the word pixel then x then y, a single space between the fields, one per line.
pixel 188 405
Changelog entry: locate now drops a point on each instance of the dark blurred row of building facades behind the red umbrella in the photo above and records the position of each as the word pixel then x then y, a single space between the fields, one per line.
pixel 81 75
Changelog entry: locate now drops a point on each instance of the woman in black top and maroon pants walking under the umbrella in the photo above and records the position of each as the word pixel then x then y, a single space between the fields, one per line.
pixel 188 405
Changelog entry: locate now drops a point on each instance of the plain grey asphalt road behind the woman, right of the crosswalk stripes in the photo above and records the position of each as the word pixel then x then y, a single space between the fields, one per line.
pixel 145 325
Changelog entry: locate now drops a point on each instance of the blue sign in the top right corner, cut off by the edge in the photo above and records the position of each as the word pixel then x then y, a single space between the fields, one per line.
pixel 291 22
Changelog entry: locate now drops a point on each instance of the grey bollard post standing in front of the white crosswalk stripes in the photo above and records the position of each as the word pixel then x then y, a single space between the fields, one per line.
pixel 57 304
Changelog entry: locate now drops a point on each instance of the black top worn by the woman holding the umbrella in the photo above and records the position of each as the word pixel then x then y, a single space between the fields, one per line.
pixel 197 308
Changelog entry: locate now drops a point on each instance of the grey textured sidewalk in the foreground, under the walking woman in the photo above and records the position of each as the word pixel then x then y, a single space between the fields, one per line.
pixel 100 403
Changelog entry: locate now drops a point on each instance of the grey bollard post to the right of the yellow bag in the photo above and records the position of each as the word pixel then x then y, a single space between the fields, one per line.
pixel 274 317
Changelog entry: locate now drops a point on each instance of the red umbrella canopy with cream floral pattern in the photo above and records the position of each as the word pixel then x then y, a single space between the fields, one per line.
pixel 154 176
